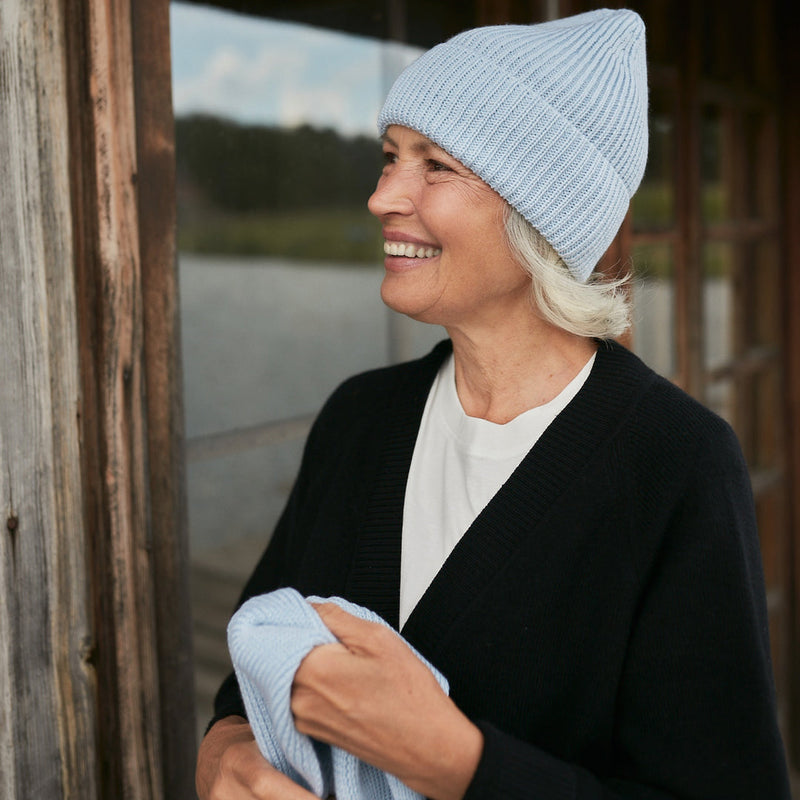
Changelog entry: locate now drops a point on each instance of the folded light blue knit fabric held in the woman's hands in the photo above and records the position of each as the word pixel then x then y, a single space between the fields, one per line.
pixel 268 637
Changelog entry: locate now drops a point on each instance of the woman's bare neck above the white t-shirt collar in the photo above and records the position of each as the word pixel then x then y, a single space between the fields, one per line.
pixel 501 374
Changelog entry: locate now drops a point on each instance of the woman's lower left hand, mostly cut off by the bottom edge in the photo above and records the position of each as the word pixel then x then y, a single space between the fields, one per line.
pixel 231 767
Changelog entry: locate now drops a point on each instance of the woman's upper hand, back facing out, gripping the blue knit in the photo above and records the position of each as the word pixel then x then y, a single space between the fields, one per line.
pixel 370 695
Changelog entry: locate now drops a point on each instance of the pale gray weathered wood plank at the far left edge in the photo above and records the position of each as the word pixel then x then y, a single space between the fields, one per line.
pixel 47 701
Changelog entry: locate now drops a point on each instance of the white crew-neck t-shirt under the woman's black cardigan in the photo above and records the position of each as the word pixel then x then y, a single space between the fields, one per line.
pixel 459 463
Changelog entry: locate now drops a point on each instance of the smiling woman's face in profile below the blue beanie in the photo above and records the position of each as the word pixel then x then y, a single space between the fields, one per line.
pixel 447 260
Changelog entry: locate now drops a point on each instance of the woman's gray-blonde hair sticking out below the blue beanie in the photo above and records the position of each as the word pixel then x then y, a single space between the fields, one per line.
pixel 598 308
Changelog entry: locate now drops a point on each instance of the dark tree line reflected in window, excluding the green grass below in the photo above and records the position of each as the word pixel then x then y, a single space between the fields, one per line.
pixel 228 167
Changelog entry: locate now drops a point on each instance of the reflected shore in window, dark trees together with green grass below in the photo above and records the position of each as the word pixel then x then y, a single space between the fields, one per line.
pixel 259 191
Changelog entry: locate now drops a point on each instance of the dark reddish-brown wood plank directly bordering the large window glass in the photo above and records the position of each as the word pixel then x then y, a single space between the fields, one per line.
pixel 157 231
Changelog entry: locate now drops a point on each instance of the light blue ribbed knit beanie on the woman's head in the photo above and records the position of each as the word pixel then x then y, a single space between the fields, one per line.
pixel 552 116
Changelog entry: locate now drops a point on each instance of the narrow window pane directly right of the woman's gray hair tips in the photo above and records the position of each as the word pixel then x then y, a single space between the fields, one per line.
pixel 654 307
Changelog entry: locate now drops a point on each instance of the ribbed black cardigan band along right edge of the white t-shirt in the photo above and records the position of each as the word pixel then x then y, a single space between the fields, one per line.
pixel 514 513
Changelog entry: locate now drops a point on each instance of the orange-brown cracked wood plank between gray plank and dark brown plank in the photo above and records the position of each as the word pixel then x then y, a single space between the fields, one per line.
pixel 114 428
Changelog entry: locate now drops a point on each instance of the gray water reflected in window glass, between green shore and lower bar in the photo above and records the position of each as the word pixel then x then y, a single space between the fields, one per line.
pixel 265 339
